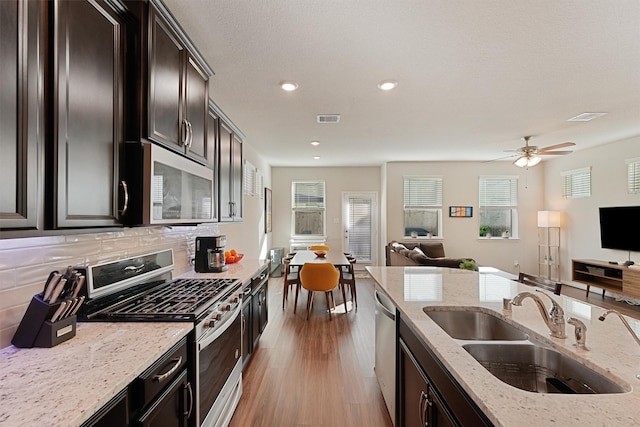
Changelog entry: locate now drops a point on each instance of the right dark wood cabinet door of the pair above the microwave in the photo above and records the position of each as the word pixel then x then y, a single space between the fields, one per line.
pixel 197 111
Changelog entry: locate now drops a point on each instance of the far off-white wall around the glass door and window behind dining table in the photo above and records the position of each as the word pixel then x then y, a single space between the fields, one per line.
pixel 337 180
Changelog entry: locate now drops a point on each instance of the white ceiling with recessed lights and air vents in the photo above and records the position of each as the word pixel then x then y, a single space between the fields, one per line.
pixel 474 76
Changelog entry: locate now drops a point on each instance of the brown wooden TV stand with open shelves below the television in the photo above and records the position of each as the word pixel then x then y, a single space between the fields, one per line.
pixel 606 276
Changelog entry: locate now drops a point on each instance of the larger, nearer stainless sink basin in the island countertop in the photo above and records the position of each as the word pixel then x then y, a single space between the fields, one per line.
pixel 539 369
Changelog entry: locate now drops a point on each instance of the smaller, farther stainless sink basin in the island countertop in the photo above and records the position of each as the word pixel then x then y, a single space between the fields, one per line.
pixel 474 325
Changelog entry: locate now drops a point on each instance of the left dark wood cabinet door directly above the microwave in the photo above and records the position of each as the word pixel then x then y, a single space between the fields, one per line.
pixel 166 124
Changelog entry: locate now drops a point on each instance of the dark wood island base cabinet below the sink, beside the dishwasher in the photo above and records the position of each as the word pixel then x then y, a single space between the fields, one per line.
pixel 427 393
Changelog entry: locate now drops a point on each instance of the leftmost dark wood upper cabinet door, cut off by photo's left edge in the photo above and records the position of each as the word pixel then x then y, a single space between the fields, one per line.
pixel 22 119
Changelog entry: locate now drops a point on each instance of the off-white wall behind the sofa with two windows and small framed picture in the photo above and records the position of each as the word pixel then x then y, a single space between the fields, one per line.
pixel 460 188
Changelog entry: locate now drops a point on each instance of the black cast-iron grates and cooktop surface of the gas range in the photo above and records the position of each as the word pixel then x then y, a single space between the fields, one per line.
pixel 180 299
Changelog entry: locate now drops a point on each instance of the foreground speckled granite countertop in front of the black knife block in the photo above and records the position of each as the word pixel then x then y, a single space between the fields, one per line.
pixel 66 384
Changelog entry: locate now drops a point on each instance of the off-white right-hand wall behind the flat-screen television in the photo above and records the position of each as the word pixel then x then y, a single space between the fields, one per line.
pixel 580 233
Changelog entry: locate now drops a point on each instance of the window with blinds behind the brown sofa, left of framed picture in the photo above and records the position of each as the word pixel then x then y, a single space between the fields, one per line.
pixel 422 206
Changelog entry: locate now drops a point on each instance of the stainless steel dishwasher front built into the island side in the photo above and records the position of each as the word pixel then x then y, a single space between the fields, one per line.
pixel 385 364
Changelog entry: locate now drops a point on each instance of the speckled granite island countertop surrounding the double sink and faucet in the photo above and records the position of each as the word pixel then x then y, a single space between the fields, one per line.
pixel 612 351
